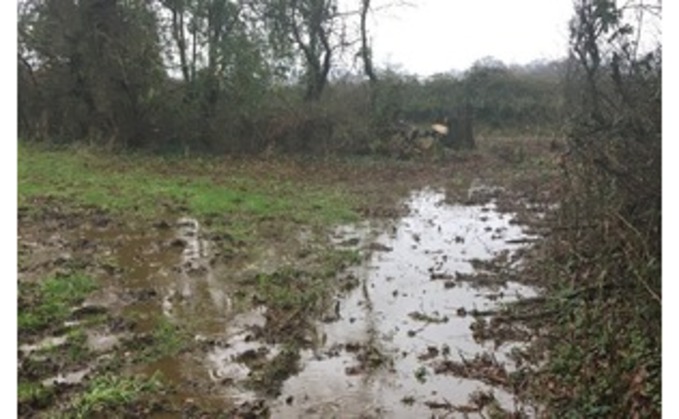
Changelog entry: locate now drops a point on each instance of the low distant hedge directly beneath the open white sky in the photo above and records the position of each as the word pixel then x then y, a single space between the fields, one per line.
pixel 503 98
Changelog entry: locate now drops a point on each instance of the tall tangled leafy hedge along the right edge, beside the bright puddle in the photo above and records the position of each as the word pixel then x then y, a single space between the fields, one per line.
pixel 605 353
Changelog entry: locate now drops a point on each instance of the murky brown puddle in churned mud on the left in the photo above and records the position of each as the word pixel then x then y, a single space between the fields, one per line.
pixel 143 275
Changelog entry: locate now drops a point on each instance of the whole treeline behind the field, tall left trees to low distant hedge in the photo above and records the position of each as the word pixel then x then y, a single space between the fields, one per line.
pixel 242 76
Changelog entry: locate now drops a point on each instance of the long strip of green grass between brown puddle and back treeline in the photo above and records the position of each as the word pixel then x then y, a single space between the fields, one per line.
pixel 141 184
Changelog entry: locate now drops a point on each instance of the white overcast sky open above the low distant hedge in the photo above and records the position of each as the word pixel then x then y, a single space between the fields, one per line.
pixel 436 36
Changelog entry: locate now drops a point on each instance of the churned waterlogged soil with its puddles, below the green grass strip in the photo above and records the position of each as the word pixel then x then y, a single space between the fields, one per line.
pixel 411 327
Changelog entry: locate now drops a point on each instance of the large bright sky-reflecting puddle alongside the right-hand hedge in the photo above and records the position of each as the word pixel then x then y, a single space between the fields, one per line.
pixel 380 355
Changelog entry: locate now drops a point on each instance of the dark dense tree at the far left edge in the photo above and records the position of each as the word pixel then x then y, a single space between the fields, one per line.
pixel 92 65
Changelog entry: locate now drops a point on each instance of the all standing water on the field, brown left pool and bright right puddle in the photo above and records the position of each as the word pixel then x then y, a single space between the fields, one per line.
pixel 377 353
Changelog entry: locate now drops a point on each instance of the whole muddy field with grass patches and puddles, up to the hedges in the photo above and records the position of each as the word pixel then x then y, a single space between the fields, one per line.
pixel 361 289
